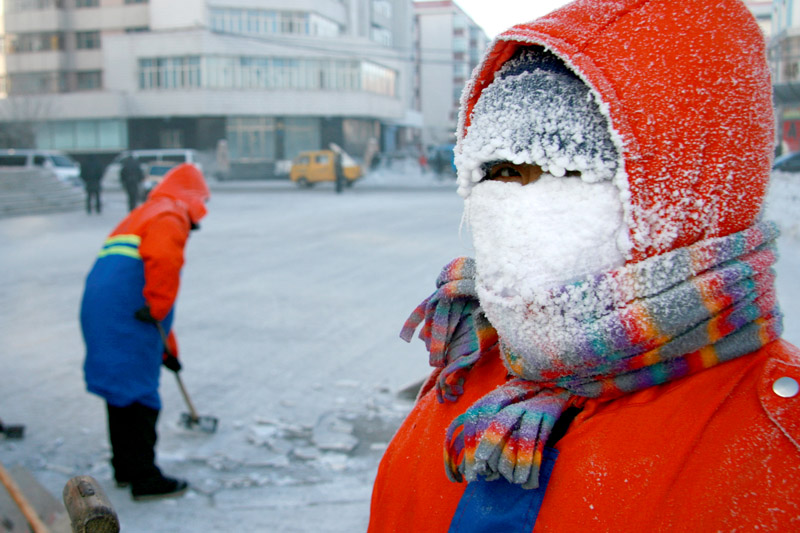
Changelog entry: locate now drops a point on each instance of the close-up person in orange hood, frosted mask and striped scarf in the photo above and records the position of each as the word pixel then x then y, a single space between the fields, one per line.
pixel 611 358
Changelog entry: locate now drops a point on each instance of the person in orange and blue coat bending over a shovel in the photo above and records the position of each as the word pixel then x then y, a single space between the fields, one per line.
pixel 130 290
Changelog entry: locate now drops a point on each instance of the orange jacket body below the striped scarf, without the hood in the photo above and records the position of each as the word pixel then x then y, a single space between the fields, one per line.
pixel 717 451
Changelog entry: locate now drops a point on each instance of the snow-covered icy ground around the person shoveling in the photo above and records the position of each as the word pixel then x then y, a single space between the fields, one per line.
pixel 288 321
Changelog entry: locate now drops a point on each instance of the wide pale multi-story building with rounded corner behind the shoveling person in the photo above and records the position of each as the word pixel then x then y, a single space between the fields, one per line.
pixel 269 77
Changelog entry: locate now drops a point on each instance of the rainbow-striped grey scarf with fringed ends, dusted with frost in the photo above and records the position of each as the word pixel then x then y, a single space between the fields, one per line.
pixel 659 320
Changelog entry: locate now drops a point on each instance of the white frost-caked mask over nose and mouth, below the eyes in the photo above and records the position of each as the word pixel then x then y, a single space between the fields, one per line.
pixel 531 238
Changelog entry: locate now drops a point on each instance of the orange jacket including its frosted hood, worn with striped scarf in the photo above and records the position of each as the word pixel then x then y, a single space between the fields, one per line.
pixel 688 92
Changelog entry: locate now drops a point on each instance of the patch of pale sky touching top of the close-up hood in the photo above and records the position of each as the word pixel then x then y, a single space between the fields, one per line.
pixel 494 16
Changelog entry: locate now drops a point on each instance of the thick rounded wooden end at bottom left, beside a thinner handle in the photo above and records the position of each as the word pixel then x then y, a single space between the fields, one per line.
pixel 88 507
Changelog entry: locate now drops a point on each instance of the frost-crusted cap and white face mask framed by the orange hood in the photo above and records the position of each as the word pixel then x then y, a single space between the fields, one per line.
pixel 567 224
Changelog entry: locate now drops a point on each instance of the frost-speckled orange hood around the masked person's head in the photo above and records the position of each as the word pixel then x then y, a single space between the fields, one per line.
pixel 687 92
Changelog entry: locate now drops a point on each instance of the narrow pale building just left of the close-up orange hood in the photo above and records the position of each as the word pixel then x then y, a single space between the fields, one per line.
pixel 449 45
